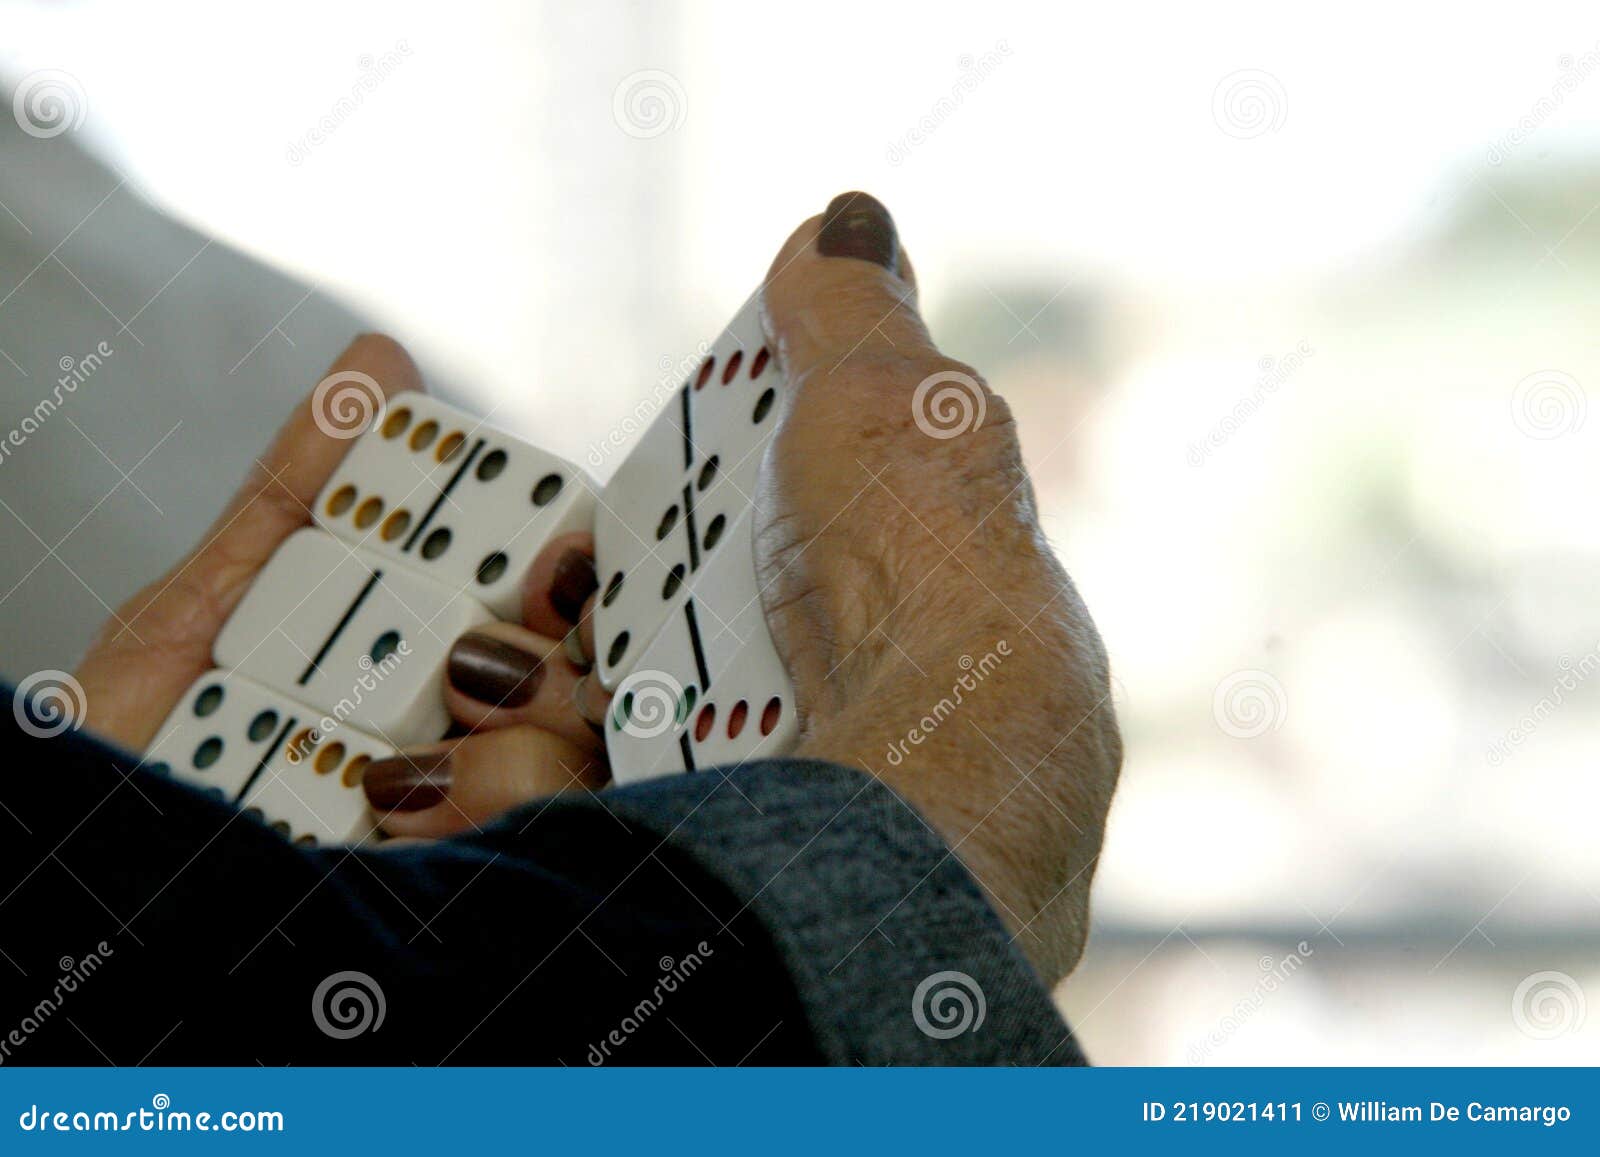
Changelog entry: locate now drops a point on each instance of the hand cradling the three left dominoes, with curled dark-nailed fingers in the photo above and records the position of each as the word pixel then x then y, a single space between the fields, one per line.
pixel 161 641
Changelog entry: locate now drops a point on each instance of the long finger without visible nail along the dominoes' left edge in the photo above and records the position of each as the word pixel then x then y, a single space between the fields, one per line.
pixel 161 641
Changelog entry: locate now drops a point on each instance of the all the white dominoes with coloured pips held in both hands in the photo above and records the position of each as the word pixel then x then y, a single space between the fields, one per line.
pixel 337 654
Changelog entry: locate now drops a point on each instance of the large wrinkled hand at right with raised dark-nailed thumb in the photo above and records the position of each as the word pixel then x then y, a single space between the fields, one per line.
pixel 930 633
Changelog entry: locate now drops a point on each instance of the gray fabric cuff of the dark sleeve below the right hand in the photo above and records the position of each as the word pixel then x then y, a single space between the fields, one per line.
pixel 894 950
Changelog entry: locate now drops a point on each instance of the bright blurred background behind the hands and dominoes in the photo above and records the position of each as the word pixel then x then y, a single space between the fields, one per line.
pixel 1297 314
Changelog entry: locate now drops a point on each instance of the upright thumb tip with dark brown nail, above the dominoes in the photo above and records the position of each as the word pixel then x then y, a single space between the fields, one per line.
pixel 841 287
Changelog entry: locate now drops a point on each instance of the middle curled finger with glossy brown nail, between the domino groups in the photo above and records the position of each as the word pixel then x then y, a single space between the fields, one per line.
pixel 503 676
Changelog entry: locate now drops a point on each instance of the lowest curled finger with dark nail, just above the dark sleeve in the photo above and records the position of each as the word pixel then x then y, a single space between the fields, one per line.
pixel 463 785
